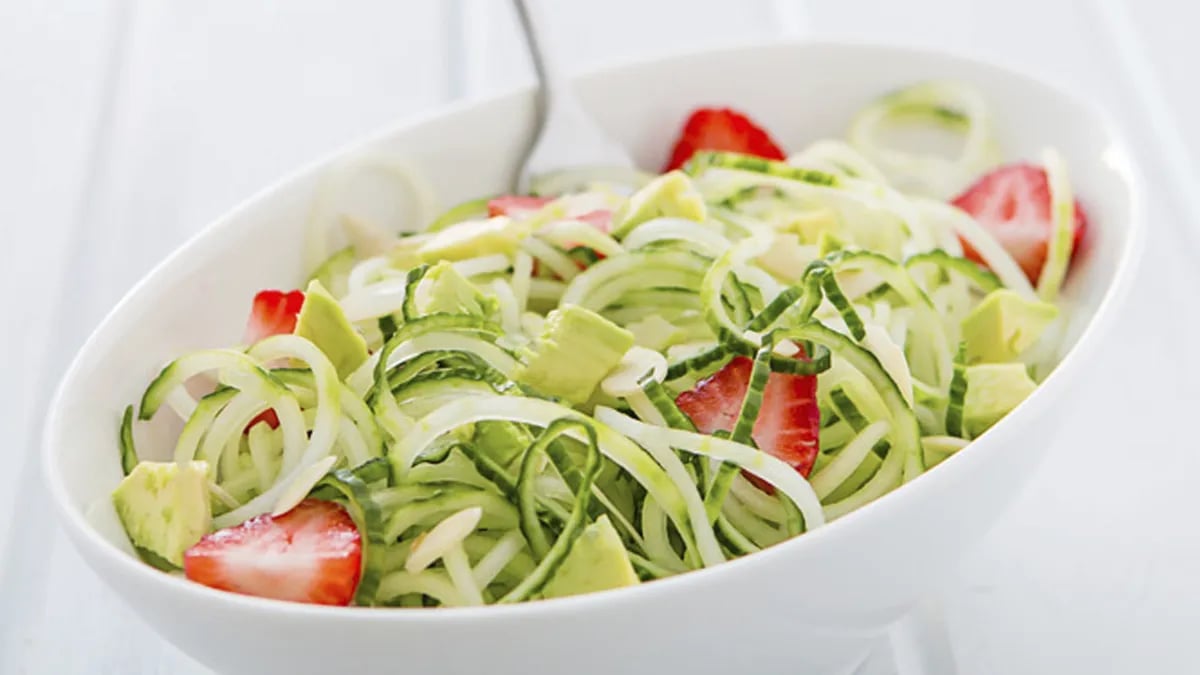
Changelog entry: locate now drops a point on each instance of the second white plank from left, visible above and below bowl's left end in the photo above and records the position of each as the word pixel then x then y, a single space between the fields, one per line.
pixel 213 103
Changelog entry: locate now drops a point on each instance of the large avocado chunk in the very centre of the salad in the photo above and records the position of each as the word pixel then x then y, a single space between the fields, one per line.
pixel 575 353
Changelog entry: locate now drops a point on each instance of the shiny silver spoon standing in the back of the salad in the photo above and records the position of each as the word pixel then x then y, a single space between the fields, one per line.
pixel 567 138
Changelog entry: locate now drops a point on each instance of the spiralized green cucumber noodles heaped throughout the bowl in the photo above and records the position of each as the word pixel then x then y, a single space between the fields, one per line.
pixel 472 487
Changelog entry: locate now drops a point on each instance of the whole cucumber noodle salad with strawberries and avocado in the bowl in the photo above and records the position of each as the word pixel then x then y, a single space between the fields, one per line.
pixel 619 378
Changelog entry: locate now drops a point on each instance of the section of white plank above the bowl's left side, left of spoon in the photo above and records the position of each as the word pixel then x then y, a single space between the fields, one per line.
pixel 225 98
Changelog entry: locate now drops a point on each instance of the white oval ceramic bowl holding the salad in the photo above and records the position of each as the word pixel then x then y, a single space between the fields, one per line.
pixel 812 605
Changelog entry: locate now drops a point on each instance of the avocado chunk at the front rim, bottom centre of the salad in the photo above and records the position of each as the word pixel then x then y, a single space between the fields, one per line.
pixel 598 561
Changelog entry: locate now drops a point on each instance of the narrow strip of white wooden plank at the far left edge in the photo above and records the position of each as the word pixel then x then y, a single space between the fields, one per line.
pixel 47 139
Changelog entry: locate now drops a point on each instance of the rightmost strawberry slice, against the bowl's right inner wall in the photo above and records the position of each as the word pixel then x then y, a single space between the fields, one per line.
pixel 1013 204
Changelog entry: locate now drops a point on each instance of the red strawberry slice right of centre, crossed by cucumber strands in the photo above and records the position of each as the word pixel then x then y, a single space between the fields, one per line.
pixel 789 421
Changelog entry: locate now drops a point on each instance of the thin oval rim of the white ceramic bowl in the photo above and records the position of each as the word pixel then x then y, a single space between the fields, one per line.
pixel 91 543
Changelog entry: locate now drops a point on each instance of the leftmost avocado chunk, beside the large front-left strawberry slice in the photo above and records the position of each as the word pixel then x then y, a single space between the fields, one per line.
pixel 165 507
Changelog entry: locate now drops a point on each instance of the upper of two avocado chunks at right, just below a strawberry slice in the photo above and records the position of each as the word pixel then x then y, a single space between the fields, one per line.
pixel 1004 326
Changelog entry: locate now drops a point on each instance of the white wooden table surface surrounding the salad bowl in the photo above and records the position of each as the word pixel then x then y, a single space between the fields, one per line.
pixel 127 127
